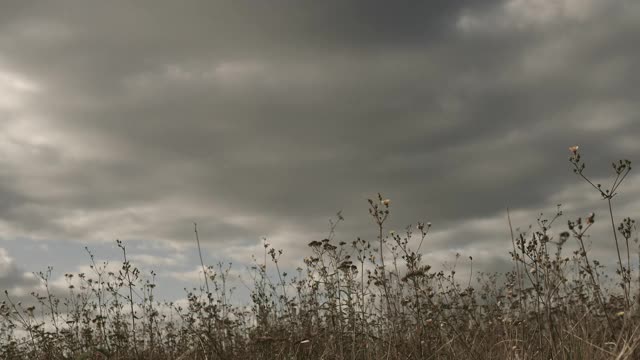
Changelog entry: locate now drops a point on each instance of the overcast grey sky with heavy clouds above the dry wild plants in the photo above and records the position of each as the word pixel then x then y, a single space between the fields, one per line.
pixel 132 120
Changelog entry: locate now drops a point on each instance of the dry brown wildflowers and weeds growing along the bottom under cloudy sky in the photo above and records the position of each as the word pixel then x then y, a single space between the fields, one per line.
pixel 360 299
